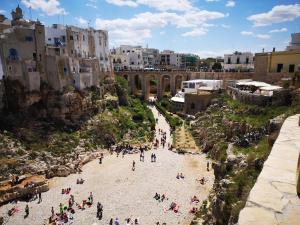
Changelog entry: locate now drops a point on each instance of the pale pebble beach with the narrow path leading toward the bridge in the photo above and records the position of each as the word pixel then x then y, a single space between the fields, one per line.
pixel 125 193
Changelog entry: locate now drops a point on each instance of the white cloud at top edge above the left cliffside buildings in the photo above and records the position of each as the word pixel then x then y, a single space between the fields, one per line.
pixel 50 7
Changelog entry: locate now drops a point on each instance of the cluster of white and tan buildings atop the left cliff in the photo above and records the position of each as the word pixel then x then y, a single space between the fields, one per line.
pixel 59 56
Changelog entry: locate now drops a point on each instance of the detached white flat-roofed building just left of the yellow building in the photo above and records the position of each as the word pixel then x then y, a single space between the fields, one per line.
pixel 239 61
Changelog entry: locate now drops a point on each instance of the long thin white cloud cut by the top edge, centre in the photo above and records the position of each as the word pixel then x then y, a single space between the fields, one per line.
pixel 161 5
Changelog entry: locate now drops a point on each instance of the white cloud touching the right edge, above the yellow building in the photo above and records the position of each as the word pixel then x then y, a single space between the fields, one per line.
pixel 278 14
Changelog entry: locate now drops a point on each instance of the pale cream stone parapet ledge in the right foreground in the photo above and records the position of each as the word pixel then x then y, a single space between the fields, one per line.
pixel 273 199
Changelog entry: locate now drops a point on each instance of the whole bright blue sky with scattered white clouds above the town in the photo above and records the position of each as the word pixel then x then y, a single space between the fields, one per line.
pixel 203 27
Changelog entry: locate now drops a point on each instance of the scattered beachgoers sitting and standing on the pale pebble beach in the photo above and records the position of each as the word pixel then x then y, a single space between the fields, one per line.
pixel 64 212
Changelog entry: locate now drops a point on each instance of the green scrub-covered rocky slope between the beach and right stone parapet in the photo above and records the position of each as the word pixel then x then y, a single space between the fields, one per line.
pixel 238 137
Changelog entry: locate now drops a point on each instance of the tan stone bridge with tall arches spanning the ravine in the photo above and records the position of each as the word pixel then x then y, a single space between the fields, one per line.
pixel 165 81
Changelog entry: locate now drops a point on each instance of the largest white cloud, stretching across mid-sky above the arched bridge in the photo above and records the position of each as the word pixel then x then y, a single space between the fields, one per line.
pixel 138 28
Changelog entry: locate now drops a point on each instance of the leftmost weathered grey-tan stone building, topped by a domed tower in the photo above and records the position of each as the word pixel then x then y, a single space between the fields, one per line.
pixel 23 52
